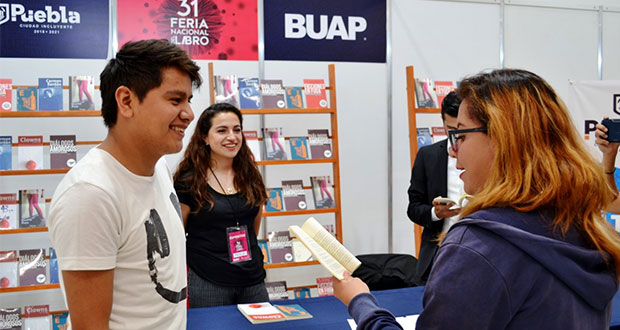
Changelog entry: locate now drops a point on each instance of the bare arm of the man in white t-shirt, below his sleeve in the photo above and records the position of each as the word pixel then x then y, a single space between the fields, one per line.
pixel 89 298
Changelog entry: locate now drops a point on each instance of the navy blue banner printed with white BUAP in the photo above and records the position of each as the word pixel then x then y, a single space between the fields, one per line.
pixel 325 30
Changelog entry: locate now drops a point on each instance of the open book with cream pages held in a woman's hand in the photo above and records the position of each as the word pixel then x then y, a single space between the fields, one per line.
pixel 325 248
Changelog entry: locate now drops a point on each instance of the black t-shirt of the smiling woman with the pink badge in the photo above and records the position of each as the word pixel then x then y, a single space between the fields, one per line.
pixel 207 241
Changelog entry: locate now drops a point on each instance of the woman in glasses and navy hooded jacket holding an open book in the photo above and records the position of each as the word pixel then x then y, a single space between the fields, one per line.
pixel 532 250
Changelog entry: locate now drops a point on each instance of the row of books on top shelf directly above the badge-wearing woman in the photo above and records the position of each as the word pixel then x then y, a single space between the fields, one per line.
pixel 254 93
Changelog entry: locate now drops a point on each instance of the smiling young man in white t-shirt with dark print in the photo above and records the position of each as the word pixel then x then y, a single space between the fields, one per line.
pixel 115 219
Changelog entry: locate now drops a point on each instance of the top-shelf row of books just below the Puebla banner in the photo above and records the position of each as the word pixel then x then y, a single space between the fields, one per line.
pixel 48 95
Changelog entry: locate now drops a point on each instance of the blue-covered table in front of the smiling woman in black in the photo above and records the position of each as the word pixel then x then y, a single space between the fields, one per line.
pixel 328 312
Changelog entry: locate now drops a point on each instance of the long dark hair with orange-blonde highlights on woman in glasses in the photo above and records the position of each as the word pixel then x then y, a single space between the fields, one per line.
pixel 540 163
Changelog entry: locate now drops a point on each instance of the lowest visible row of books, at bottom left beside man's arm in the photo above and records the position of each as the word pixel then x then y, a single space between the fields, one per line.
pixel 35 318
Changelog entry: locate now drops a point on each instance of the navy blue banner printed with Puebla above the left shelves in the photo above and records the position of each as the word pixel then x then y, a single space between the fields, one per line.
pixel 54 29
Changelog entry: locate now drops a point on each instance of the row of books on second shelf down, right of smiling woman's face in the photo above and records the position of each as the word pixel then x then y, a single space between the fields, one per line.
pixel 316 146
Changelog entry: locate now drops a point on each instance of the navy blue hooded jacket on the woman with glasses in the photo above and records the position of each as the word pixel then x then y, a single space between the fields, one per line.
pixel 504 269
